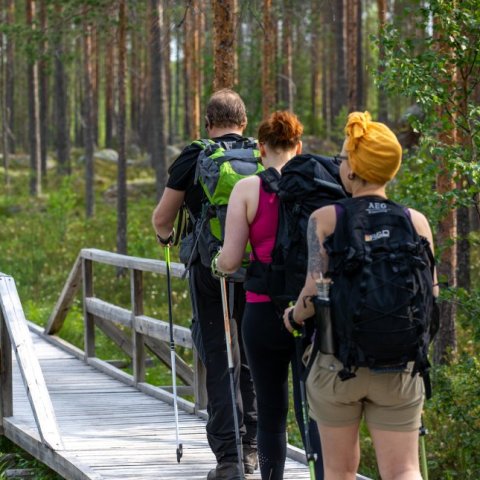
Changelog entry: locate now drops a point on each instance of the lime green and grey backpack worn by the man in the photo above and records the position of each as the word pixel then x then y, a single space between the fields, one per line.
pixel 220 165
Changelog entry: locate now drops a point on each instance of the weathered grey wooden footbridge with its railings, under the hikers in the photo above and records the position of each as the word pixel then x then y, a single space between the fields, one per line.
pixel 87 419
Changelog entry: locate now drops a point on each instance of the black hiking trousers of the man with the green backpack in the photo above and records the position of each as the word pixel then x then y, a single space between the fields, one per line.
pixel 208 331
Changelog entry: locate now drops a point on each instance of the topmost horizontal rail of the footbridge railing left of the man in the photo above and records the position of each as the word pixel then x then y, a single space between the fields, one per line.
pixel 135 263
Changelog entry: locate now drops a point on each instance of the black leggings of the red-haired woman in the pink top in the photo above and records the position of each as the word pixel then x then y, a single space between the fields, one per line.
pixel 270 349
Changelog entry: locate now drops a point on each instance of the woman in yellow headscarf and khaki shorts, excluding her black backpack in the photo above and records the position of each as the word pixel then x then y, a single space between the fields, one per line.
pixel 389 399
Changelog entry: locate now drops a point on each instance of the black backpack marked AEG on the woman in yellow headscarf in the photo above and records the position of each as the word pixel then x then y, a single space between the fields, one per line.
pixel 381 297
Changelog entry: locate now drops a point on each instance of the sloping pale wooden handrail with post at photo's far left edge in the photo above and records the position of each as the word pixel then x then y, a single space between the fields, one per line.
pixel 15 332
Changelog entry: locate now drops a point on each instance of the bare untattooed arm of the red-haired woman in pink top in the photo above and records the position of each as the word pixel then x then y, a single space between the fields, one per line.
pixel 237 224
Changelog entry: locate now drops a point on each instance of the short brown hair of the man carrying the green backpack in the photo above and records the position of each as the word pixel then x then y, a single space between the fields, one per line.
pixel 226 109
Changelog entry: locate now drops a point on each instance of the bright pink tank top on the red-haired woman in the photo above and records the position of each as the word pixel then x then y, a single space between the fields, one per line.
pixel 263 230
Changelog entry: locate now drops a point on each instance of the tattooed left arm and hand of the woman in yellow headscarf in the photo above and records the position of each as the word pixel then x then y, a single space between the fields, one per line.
pixel 321 224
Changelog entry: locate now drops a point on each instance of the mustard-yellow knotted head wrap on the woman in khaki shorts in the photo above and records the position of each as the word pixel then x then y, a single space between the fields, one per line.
pixel 374 152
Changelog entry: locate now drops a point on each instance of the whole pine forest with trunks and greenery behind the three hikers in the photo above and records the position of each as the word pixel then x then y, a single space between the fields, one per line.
pixel 98 97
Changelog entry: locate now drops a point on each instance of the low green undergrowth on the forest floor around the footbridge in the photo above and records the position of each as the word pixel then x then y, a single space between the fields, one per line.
pixel 40 239
